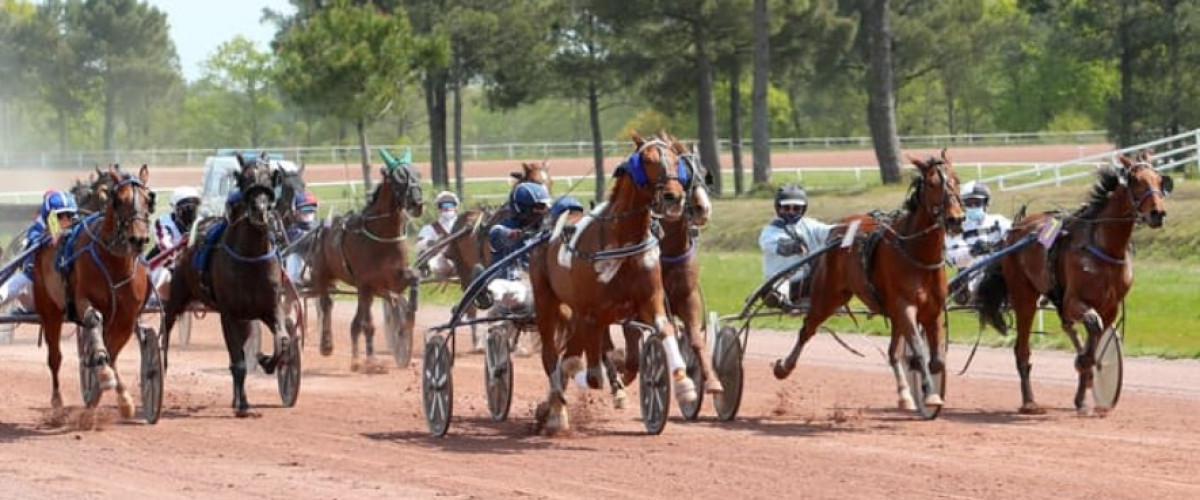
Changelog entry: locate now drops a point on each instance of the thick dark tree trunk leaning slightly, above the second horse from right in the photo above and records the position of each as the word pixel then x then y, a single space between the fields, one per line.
pixel 881 112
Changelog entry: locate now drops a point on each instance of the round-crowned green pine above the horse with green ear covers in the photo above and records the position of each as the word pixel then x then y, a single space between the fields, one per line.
pixel 347 61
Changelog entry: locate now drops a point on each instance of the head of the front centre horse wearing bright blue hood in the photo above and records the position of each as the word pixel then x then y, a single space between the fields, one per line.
pixel 655 166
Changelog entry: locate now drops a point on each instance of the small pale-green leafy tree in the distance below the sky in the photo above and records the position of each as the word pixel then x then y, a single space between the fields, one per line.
pixel 245 75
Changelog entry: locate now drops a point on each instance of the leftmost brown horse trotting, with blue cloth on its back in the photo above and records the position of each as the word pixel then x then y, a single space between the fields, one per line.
pixel 105 287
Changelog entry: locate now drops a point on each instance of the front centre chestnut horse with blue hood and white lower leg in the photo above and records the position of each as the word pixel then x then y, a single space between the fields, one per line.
pixel 607 273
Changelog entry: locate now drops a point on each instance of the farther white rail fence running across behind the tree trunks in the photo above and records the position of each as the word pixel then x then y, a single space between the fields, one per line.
pixel 350 154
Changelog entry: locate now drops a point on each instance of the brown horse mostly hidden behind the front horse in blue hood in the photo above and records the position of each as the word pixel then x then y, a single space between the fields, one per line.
pixel 681 276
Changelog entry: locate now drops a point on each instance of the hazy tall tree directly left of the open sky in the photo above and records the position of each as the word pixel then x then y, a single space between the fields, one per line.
pixel 131 55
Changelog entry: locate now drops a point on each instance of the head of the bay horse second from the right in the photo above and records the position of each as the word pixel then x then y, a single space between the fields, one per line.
pixel 937 191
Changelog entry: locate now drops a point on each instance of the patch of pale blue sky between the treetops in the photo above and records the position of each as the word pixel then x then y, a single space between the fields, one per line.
pixel 200 27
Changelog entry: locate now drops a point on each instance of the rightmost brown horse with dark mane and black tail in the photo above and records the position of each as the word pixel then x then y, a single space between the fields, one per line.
pixel 1087 273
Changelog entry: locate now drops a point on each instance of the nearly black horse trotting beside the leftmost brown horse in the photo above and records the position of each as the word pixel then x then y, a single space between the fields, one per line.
pixel 235 269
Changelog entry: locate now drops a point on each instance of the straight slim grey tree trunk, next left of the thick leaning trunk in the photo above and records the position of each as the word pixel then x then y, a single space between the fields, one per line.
pixel 760 128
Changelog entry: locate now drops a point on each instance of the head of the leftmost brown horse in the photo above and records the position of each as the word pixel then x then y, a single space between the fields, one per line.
pixel 131 202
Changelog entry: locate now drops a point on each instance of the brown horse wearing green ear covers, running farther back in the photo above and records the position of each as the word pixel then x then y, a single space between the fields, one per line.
pixel 368 251
